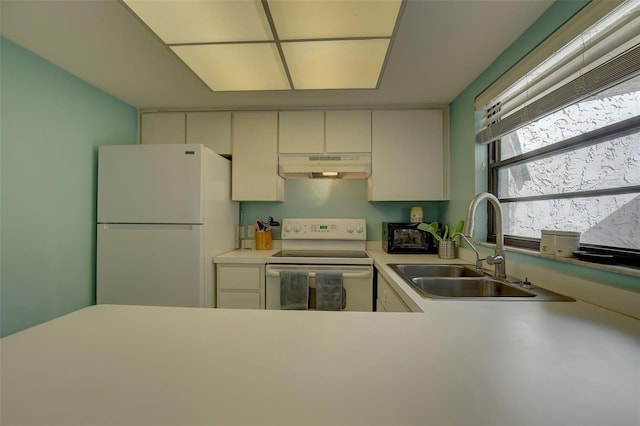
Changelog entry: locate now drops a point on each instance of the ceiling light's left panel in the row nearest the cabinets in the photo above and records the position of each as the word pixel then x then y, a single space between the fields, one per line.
pixel 234 67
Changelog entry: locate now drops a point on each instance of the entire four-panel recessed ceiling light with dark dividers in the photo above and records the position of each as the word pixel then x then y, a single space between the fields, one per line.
pixel 252 45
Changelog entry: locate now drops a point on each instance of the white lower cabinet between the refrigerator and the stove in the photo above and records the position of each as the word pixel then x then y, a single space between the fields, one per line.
pixel 240 286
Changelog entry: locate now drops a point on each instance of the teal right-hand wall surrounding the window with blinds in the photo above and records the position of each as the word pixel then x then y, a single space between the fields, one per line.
pixel 468 176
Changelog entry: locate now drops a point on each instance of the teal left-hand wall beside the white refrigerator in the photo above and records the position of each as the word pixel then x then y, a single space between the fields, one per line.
pixel 51 126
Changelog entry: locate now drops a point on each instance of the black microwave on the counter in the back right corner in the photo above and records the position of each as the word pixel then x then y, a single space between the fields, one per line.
pixel 407 238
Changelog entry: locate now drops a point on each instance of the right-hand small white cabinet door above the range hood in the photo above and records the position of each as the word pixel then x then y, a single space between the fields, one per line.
pixel 348 131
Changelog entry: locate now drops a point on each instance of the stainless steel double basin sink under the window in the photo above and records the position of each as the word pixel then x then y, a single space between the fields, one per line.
pixel 462 282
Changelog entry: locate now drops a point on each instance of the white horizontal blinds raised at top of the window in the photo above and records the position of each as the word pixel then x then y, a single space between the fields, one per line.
pixel 602 55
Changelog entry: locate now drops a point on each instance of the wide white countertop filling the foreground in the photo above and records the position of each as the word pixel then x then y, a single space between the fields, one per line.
pixel 464 363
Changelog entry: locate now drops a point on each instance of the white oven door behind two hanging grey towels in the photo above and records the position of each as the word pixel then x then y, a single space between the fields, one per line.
pixel 357 283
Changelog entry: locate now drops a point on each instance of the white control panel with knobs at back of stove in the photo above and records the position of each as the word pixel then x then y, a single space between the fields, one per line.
pixel 324 229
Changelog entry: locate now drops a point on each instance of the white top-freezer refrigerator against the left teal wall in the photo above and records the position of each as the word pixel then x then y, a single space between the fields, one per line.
pixel 164 212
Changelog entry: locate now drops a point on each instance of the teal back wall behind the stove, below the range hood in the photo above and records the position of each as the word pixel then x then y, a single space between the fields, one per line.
pixel 337 198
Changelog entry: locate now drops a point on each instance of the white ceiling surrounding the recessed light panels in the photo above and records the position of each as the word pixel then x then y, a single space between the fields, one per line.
pixel 440 48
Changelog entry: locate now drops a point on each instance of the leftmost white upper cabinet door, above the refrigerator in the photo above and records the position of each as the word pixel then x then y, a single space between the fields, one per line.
pixel 163 127
